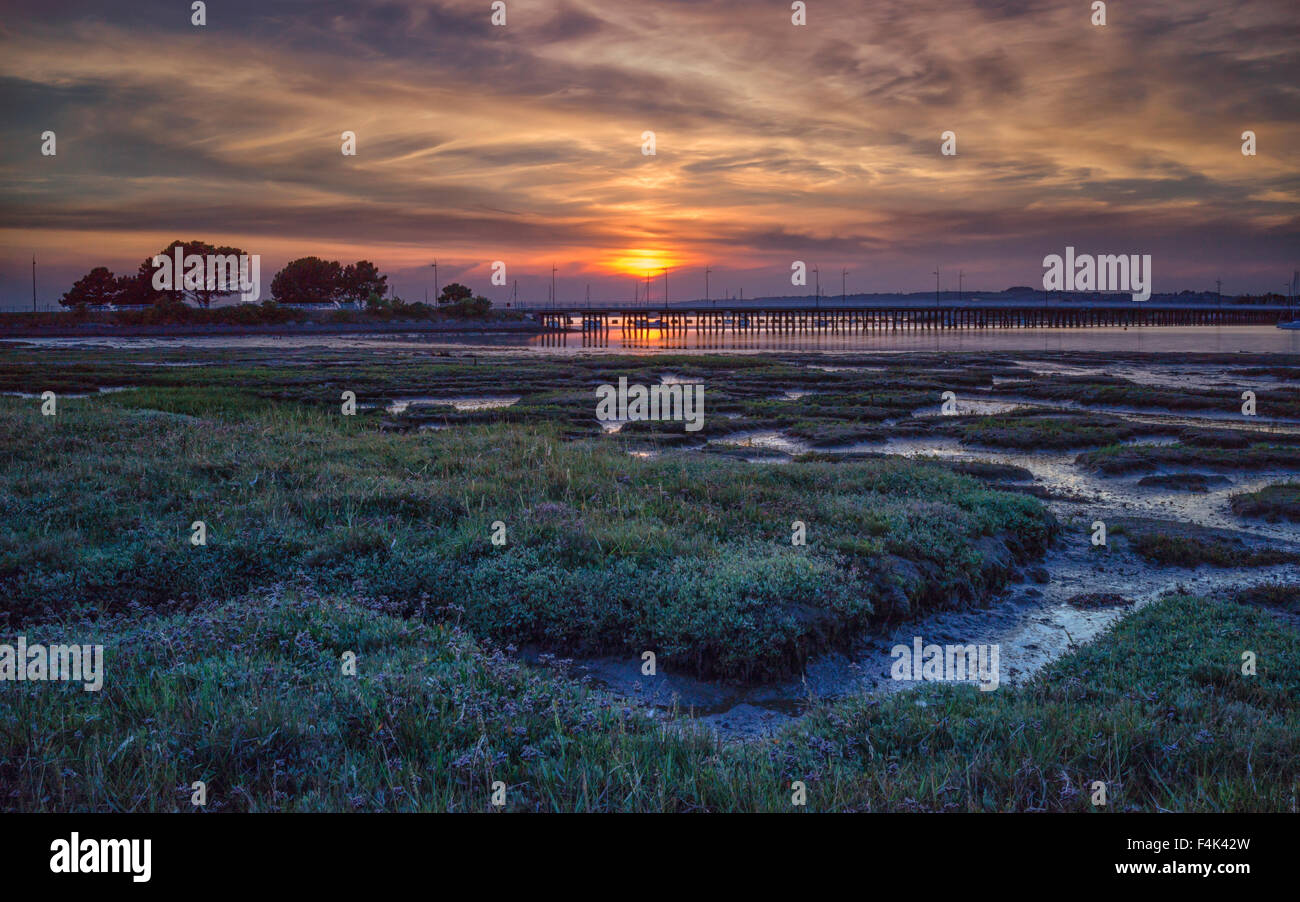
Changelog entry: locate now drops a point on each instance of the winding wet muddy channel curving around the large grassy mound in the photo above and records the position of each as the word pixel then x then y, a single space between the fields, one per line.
pixel 1033 622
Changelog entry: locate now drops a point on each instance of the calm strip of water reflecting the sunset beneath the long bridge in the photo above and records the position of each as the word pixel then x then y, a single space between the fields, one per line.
pixel 1164 340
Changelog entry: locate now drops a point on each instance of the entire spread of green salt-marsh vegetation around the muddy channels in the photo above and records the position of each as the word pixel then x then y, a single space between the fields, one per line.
pixel 372 535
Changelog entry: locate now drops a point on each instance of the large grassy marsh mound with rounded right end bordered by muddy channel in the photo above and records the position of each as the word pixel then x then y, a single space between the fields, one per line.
pixel 606 554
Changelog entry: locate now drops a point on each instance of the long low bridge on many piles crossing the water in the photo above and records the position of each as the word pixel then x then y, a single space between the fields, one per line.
pixel 847 320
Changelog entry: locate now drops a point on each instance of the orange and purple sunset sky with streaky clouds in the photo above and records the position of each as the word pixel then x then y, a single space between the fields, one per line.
pixel 774 142
